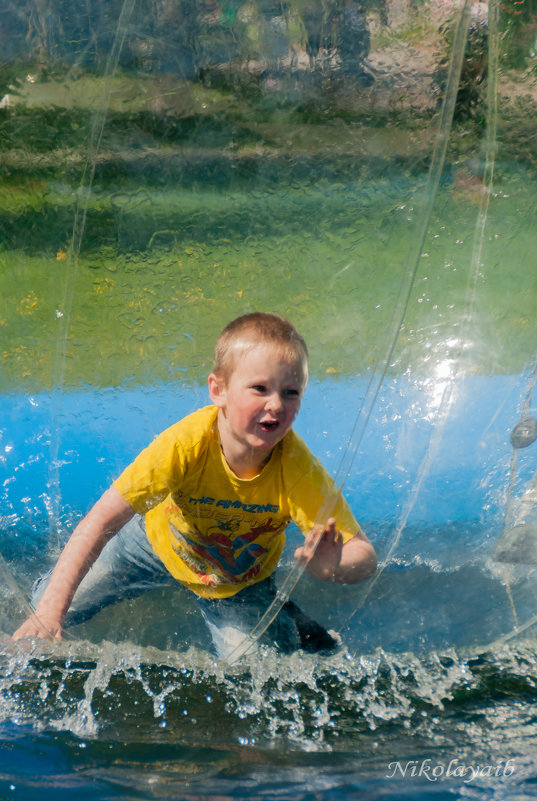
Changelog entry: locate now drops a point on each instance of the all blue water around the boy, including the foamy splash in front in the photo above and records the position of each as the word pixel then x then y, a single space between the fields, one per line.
pixel 428 697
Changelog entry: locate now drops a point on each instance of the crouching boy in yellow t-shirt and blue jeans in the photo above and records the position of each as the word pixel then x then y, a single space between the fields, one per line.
pixel 207 504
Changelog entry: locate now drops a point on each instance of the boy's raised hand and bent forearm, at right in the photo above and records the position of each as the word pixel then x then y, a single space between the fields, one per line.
pixel 328 558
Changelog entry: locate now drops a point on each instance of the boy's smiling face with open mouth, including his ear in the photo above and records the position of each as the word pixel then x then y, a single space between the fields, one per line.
pixel 259 401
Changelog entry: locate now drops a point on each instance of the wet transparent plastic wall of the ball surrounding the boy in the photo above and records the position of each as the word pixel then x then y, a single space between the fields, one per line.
pixel 171 208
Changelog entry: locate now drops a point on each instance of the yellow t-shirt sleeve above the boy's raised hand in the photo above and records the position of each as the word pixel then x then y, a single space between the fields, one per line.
pixel 313 497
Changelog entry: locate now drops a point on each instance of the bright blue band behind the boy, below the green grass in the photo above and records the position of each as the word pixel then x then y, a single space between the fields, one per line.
pixel 74 444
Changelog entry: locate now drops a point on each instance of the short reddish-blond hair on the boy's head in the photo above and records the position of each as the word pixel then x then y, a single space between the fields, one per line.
pixel 244 333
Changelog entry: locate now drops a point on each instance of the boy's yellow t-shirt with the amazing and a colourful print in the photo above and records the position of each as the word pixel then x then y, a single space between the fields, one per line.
pixel 215 532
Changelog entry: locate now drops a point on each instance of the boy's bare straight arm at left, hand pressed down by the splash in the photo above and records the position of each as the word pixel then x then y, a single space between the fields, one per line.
pixel 109 514
